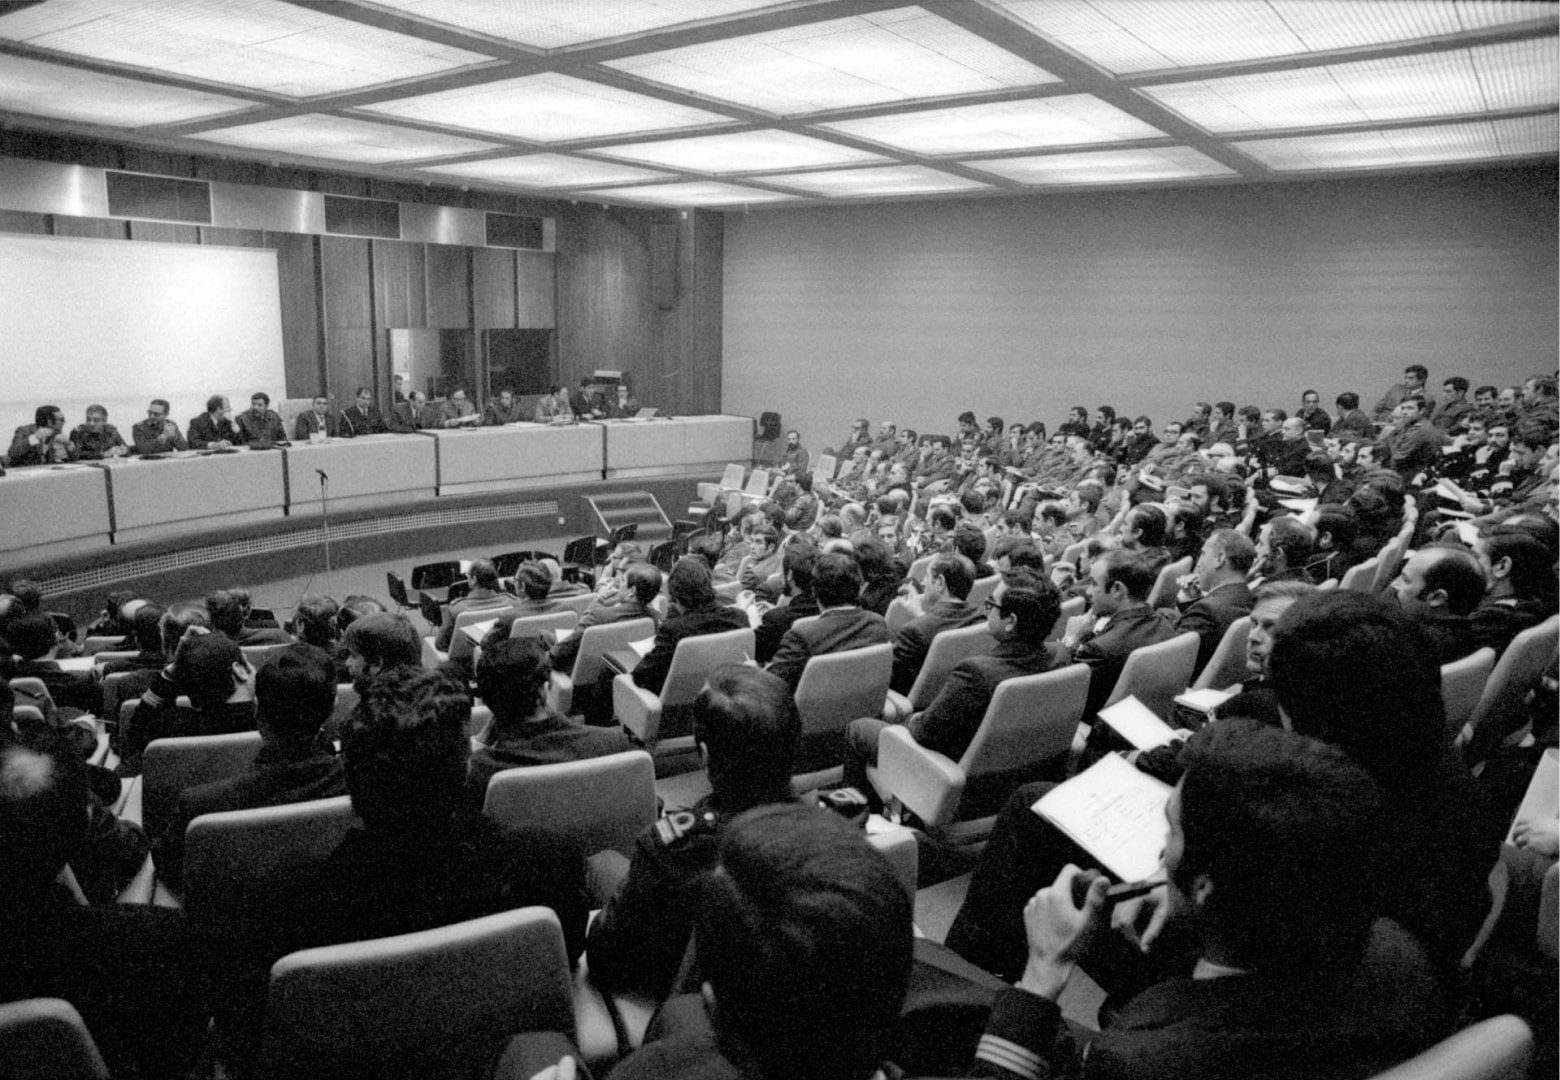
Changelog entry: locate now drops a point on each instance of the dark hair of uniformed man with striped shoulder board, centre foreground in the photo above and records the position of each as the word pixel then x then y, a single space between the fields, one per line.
pixel 746 720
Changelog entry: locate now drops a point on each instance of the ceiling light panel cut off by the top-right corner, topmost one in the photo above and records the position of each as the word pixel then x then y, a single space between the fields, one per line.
pixel 1132 37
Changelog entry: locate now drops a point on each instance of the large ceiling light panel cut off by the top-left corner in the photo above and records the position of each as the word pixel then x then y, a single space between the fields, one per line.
pixel 261 44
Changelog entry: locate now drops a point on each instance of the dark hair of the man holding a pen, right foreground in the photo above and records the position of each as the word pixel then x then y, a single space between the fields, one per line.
pixel 1275 822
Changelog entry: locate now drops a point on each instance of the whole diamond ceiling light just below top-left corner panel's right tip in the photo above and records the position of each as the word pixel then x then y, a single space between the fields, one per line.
pixel 550 108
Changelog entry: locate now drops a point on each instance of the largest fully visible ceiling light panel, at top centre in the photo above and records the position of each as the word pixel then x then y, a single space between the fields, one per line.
pixel 898 55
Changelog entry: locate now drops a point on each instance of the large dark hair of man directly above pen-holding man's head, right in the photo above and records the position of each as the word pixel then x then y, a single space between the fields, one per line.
pixel 1388 714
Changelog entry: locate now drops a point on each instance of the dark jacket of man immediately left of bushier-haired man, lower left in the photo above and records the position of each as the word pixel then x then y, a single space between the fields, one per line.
pixel 274 780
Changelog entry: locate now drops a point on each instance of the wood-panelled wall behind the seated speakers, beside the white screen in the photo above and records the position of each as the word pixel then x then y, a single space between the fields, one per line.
pixel 339 296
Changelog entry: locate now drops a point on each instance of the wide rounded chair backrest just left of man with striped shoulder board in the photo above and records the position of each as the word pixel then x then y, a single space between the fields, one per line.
pixel 600 803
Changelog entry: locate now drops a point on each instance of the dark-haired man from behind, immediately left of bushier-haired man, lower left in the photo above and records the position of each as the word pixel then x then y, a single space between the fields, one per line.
pixel 296 691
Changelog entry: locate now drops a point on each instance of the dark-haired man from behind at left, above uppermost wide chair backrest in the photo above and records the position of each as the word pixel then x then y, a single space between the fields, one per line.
pixel 211 670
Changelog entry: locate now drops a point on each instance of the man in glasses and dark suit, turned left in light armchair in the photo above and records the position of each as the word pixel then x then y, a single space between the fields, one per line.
pixel 1019 614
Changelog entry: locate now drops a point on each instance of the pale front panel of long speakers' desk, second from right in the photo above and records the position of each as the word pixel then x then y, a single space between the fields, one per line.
pixel 487 460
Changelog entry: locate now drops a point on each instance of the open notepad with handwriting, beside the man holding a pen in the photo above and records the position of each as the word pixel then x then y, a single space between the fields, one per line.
pixel 1113 812
